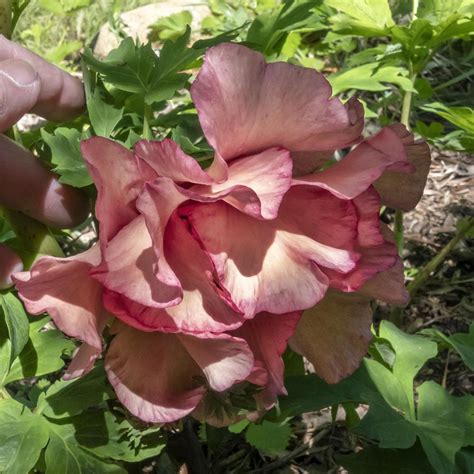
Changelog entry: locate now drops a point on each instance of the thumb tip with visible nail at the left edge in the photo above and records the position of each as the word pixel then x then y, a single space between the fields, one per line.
pixel 19 91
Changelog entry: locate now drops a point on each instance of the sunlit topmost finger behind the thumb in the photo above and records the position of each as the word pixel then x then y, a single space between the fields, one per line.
pixel 61 97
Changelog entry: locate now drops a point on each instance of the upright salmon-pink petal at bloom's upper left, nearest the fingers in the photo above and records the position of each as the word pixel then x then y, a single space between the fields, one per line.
pixel 117 178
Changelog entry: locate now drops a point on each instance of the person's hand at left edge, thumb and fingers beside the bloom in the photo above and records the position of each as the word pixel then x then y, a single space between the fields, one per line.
pixel 30 84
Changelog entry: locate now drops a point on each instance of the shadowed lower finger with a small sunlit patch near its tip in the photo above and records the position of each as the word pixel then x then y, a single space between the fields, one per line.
pixel 27 186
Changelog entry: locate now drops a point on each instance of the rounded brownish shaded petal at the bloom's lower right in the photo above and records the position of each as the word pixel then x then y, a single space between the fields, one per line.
pixel 334 335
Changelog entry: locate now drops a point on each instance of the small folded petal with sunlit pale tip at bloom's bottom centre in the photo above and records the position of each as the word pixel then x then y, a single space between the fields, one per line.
pixel 224 360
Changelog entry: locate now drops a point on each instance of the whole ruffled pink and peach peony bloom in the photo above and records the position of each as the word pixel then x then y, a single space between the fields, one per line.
pixel 207 273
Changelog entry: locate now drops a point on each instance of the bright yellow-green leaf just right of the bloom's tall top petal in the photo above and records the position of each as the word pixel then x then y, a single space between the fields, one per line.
pixel 370 77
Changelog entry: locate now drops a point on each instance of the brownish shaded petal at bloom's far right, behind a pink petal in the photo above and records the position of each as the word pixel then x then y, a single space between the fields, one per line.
pixel 400 190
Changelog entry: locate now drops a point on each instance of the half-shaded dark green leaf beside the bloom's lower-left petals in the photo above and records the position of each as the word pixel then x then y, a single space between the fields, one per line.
pixel 69 398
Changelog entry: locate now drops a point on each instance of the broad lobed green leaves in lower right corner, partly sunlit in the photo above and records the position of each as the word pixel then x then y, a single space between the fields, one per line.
pixel 396 419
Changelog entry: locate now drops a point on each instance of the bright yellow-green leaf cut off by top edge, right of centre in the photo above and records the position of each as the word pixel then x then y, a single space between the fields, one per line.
pixel 364 17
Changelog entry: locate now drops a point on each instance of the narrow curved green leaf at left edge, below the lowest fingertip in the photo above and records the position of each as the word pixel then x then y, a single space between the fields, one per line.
pixel 17 323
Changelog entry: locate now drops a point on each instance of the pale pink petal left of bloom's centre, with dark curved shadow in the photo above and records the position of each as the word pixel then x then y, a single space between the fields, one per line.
pixel 129 268
